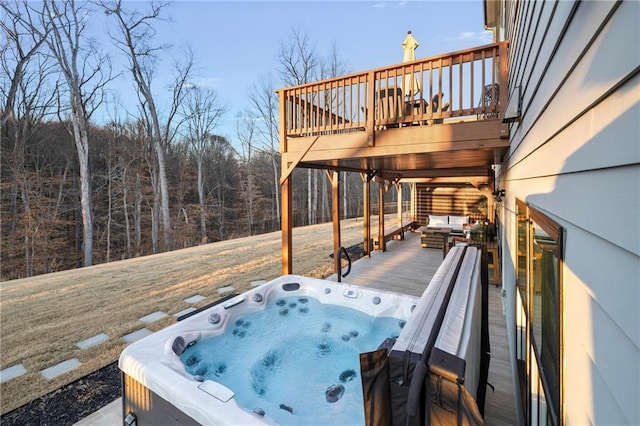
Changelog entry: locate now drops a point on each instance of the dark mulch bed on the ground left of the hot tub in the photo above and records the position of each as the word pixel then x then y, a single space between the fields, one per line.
pixel 71 403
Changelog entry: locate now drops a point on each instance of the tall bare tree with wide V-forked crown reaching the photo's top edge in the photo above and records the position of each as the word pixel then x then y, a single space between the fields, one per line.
pixel 135 35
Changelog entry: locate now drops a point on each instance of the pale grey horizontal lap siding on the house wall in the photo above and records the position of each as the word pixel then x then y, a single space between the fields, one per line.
pixel 575 156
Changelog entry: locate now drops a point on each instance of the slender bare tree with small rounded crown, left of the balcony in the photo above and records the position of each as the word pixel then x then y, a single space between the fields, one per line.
pixel 202 112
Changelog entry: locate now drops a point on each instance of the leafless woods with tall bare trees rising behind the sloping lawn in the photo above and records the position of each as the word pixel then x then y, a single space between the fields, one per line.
pixel 78 191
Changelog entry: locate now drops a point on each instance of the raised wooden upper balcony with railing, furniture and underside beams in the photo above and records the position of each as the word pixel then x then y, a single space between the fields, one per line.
pixel 438 117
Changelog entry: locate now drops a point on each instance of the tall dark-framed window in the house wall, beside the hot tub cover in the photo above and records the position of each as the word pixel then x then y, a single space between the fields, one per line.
pixel 539 327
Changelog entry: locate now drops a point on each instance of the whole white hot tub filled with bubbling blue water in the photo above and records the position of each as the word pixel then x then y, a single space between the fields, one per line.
pixel 164 380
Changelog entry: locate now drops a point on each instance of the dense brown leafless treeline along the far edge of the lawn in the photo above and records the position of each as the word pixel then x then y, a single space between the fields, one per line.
pixel 41 223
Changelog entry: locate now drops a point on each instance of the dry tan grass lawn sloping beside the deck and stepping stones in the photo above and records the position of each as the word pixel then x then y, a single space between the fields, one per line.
pixel 42 318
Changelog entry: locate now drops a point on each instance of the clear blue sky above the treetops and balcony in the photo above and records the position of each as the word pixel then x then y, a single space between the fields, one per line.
pixel 235 42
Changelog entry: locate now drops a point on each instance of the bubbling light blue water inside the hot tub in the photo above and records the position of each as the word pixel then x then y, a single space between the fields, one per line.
pixel 297 360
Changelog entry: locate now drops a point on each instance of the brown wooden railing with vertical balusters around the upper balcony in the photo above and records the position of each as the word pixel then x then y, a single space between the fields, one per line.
pixel 426 91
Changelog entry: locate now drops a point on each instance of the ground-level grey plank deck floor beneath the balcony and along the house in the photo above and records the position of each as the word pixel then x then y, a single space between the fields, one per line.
pixel 407 268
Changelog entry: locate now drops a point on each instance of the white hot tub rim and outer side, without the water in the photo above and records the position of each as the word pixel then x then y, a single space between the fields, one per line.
pixel 156 386
